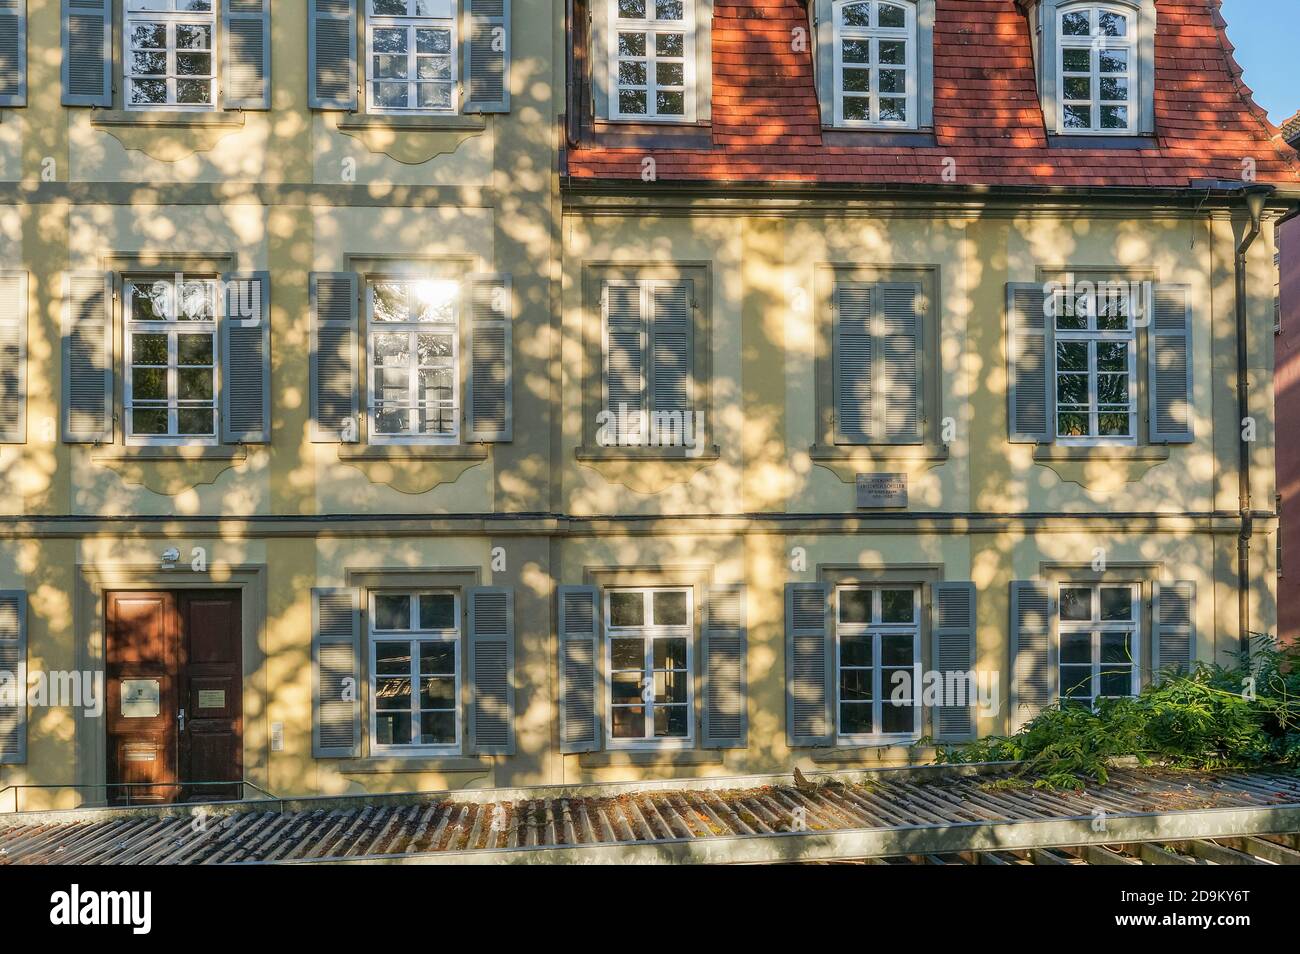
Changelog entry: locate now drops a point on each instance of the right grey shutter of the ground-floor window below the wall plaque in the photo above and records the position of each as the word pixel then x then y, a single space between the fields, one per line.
pixel 954 653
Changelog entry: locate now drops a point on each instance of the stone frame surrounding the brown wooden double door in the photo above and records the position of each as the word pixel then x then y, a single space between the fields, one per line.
pixel 96 580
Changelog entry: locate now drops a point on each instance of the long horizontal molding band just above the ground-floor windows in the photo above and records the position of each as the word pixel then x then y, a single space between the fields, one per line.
pixel 553 526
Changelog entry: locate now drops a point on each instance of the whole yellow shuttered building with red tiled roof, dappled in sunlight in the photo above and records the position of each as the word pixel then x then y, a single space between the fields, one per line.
pixel 495 394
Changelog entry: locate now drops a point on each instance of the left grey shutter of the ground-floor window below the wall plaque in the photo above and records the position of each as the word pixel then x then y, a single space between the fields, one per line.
pixel 809 666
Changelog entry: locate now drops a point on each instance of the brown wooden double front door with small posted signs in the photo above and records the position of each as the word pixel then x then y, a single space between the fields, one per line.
pixel 175 701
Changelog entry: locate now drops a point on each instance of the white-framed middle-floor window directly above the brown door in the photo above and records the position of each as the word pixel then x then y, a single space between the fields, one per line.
pixel 171 353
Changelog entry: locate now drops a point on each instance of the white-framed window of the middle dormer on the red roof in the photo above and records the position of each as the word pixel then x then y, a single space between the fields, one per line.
pixel 876 63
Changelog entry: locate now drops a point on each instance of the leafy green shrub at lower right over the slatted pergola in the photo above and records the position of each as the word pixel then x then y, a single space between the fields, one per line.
pixel 1245 715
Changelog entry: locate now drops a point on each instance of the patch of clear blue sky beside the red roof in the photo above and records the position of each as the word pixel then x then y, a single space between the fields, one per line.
pixel 1264 33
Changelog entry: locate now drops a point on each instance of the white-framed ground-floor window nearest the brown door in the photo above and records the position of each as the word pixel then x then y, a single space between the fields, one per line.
pixel 415 671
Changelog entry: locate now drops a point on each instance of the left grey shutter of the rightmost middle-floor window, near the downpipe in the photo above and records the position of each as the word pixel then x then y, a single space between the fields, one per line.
pixel 1030 359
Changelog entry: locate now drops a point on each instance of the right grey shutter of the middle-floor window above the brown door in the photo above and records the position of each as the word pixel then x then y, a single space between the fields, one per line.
pixel 246 359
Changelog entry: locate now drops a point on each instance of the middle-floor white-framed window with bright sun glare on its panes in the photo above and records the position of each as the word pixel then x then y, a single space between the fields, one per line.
pixel 413 361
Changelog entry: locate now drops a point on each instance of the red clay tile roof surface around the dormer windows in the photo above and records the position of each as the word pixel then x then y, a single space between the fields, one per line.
pixel 766 124
